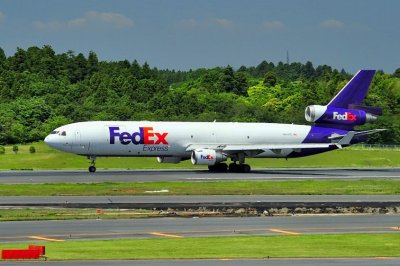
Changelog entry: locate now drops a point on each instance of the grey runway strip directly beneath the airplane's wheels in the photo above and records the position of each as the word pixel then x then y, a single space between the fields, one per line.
pixel 82 176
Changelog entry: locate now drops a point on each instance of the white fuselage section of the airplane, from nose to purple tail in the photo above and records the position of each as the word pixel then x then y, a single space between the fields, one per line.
pixel 144 138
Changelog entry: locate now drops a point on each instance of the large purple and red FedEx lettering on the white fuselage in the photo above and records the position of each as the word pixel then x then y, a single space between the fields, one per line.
pixel 145 135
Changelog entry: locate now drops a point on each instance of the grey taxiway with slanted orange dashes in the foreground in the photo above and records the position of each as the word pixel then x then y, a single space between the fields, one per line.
pixel 195 227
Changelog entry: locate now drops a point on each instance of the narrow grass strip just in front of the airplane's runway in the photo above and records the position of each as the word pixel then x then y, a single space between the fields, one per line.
pixel 303 187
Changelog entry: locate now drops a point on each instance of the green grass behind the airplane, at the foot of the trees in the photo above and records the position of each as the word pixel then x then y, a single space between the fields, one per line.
pixel 49 158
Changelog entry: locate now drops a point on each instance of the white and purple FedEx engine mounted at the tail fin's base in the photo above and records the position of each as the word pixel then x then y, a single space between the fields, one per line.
pixel 341 116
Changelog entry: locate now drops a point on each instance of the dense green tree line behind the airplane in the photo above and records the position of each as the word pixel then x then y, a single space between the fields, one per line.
pixel 41 90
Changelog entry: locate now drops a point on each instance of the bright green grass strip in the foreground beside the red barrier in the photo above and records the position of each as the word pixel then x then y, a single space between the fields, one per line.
pixel 317 246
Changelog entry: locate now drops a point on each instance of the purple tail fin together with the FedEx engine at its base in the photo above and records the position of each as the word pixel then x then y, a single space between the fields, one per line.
pixel 345 110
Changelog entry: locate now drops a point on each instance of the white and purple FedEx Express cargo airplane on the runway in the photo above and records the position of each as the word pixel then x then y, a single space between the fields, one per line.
pixel 213 143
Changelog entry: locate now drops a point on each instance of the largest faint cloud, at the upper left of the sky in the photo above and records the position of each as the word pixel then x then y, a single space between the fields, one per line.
pixel 90 19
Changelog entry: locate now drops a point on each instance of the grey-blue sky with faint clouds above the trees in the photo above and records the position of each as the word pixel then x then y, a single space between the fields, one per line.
pixel 189 34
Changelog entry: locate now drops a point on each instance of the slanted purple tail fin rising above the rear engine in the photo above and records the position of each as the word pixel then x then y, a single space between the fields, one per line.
pixel 355 90
